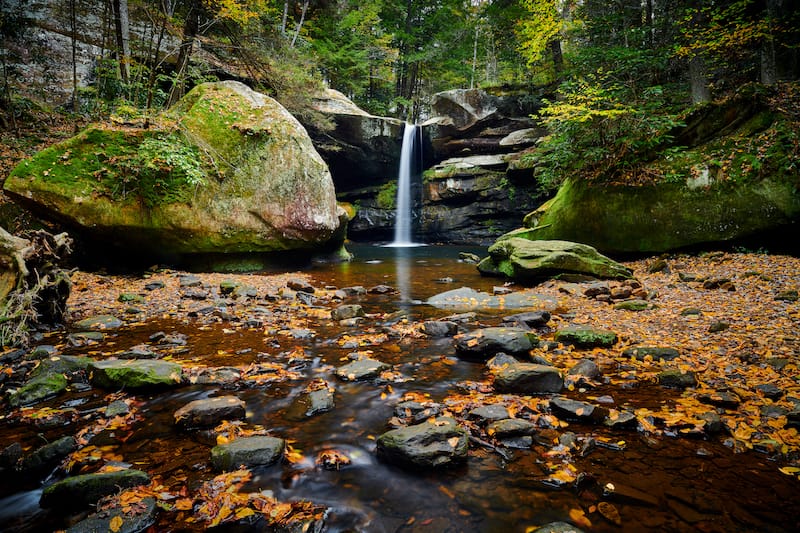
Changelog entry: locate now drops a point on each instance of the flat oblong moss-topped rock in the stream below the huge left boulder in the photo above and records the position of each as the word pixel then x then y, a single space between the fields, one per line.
pixel 135 374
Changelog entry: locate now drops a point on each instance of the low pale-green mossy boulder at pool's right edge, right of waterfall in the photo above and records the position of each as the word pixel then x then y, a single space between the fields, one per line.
pixel 527 260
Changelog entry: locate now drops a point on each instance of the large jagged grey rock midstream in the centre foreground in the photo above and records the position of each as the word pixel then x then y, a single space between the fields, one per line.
pixel 435 444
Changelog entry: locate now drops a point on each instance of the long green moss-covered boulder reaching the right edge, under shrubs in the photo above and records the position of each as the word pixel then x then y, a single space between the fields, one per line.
pixel 663 216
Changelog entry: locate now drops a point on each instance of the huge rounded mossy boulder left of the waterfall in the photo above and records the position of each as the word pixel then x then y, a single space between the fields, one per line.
pixel 226 170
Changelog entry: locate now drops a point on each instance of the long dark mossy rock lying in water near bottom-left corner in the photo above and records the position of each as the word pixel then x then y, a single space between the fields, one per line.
pixel 79 492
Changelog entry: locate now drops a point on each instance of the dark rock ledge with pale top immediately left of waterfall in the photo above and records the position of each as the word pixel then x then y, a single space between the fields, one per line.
pixel 361 148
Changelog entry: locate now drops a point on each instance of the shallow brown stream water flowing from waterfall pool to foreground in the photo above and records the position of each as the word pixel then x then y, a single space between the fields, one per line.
pixel 662 484
